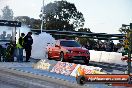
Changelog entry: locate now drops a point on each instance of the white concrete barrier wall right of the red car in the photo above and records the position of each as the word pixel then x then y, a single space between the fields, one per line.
pixel 107 57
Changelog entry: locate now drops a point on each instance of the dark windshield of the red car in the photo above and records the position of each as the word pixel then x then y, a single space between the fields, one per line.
pixel 69 44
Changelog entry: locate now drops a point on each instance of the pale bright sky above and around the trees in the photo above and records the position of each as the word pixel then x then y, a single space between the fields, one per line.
pixel 101 16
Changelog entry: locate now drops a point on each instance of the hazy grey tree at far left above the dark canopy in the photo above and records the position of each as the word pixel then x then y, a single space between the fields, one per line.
pixel 7 13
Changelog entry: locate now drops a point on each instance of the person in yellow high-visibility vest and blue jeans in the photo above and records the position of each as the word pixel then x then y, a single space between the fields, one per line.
pixel 20 46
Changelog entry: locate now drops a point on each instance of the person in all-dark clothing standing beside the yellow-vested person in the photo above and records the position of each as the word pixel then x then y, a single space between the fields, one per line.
pixel 28 41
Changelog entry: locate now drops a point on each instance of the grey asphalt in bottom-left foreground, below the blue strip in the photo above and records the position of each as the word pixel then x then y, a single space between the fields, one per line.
pixel 27 80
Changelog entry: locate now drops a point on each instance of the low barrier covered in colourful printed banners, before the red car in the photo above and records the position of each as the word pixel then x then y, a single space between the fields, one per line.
pixel 66 68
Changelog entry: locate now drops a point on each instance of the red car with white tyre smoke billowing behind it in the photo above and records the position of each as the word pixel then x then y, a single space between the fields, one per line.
pixel 68 50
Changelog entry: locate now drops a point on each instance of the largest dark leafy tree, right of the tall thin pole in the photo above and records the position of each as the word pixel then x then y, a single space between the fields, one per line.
pixel 62 15
